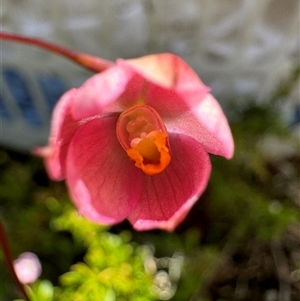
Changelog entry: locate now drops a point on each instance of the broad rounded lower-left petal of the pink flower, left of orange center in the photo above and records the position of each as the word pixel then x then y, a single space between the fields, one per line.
pixel 102 180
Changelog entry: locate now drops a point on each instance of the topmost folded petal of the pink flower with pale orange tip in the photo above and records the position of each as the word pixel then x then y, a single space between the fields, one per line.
pixel 166 75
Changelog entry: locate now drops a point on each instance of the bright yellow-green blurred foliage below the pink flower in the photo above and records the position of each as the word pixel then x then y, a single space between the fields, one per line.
pixel 113 268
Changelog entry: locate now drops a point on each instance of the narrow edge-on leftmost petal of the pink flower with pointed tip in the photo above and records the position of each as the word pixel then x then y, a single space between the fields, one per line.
pixel 63 127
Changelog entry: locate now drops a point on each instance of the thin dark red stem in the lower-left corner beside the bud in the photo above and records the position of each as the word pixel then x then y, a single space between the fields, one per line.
pixel 9 261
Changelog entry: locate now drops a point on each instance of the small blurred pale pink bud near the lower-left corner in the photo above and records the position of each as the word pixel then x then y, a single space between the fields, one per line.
pixel 27 267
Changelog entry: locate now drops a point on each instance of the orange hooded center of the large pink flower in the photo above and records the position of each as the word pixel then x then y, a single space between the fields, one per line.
pixel 143 135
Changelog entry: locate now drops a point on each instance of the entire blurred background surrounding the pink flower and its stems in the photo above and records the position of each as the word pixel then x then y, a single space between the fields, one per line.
pixel 241 241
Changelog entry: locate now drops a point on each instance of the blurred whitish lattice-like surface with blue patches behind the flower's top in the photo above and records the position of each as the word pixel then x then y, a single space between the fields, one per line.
pixel 241 48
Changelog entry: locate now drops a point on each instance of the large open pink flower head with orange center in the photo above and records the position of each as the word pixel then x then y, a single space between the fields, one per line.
pixel 133 142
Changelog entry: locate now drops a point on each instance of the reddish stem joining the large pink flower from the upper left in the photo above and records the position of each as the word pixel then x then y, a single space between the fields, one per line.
pixel 93 63
